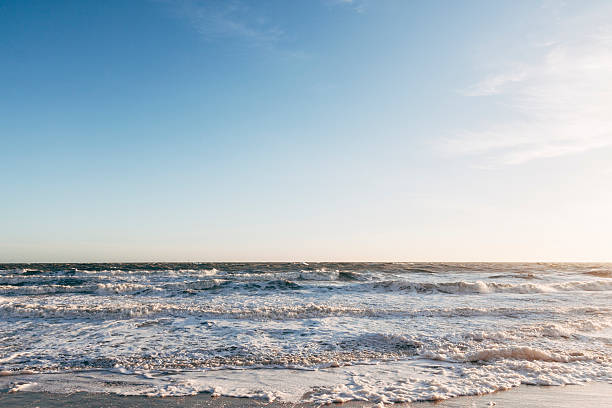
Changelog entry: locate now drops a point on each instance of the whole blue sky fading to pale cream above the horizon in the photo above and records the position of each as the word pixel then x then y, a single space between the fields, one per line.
pixel 319 130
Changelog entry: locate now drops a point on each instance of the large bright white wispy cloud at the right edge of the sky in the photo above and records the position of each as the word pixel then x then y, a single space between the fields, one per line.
pixel 563 100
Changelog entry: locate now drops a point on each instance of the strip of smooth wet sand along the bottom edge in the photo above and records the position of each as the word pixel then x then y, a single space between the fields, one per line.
pixel 593 395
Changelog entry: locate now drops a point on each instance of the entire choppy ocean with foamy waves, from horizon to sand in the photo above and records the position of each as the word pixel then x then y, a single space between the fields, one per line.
pixel 320 333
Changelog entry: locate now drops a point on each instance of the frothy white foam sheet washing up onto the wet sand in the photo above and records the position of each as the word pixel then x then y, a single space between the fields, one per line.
pixel 393 382
